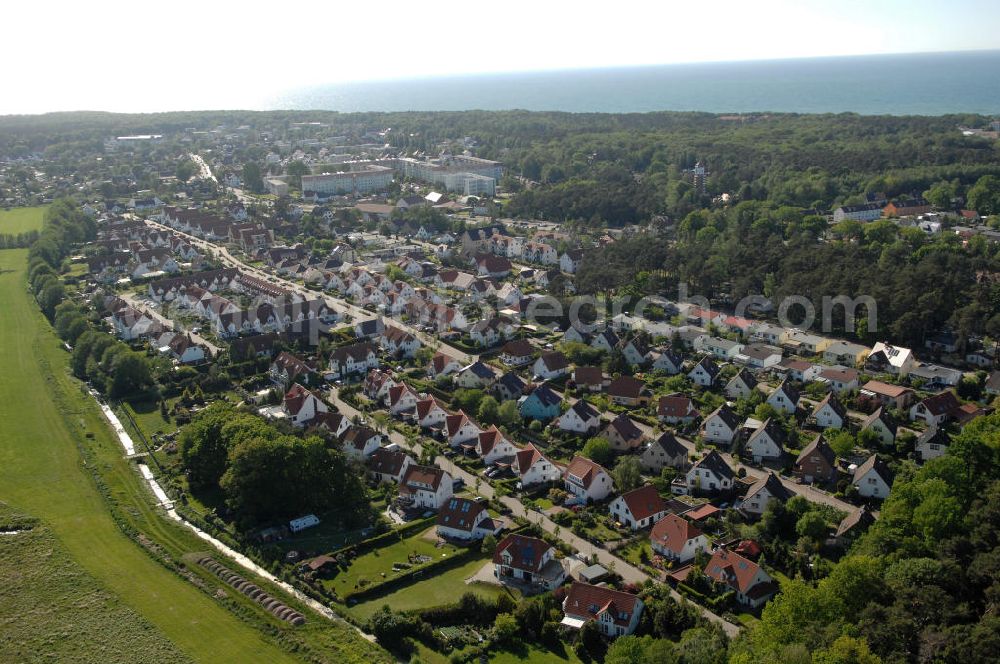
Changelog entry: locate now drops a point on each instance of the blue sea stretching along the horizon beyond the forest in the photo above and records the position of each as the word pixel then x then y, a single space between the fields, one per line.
pixel 914 84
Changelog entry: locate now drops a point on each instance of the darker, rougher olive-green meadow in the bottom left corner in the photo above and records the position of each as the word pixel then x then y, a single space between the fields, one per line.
pixel 54 611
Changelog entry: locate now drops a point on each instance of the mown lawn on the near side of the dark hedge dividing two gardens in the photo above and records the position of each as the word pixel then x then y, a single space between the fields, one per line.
pixel 445 588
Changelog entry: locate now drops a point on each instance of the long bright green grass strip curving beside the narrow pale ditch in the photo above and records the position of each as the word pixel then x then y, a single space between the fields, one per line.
pixel 44 416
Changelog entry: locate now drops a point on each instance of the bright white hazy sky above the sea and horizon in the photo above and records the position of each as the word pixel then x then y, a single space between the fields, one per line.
pixel 145 55
